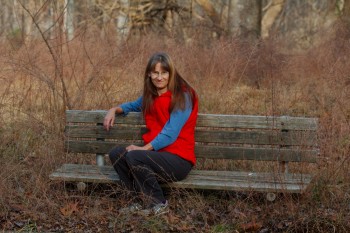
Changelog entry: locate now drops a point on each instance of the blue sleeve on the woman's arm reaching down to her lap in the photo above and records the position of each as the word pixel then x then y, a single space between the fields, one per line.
pixel 173 126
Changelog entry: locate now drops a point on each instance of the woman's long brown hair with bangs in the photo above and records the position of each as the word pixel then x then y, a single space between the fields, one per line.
pixel 177 85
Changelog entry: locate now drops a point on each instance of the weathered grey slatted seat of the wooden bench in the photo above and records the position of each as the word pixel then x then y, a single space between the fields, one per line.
pixel 197 179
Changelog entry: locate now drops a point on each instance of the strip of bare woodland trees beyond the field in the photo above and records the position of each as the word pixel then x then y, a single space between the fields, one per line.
pixel 300 23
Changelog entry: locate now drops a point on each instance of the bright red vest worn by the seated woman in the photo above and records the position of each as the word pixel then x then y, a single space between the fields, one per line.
pixel 159 115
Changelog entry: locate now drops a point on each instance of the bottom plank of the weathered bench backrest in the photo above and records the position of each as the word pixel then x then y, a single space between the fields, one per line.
pixel 217 152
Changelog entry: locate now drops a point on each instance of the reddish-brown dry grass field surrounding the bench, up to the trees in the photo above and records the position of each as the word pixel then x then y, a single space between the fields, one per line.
pixel 231 77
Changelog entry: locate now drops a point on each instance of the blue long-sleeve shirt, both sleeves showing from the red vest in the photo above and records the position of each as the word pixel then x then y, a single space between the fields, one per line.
pixel 173 126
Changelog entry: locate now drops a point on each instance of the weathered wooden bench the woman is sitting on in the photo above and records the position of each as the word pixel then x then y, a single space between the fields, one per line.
pixel 244 153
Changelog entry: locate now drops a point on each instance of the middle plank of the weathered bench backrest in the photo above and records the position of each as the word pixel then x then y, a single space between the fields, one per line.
pixel 201 135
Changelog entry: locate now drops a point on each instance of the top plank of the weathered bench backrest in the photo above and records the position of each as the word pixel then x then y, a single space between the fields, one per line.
pixel 206 120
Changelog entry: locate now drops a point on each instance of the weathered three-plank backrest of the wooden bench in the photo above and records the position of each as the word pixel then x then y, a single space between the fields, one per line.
pixel 237 137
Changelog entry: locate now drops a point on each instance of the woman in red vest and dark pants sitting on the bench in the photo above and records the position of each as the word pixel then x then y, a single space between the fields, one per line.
pixel 170 107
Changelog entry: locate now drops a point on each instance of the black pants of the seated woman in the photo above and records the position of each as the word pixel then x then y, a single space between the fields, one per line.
pixel 142 171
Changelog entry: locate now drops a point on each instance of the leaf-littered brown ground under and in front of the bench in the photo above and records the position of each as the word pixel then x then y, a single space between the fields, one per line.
pixel 36 204
